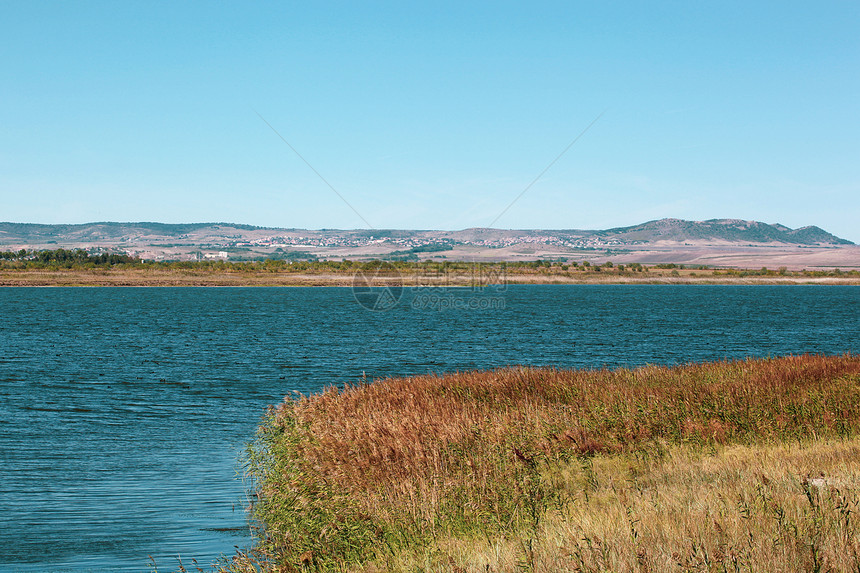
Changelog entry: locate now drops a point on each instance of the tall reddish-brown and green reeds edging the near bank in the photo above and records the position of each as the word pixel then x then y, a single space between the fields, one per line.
pixel 366 474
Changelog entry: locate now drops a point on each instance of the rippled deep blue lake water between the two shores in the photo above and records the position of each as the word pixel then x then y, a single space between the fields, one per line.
pixel 123 410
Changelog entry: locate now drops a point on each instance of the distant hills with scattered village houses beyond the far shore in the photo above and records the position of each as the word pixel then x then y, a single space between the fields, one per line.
pixel 664 240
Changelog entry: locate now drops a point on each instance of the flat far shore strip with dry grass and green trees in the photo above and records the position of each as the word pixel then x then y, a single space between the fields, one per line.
pixel 79 268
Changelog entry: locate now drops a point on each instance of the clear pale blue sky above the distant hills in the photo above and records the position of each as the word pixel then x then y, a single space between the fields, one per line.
pixel 430 116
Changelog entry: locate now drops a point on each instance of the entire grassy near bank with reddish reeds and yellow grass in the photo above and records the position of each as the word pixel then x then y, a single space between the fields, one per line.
pixel 749 465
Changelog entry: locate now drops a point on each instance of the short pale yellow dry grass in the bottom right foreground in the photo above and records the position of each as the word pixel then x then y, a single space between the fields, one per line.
pixel 785 508
